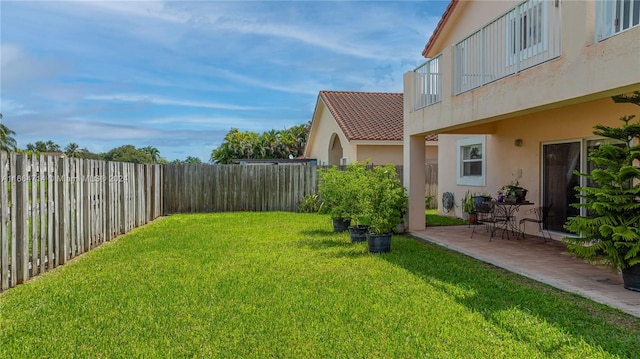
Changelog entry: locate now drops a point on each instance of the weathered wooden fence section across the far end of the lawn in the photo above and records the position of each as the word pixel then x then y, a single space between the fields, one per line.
pixel 231 188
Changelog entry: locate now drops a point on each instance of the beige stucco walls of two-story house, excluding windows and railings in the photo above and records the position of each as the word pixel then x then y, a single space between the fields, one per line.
pixel 557 100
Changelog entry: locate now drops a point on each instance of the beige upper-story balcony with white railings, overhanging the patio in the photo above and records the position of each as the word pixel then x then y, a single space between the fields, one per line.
pixel 480 79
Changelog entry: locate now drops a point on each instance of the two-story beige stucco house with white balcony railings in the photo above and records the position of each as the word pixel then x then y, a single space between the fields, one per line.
pixel 520 85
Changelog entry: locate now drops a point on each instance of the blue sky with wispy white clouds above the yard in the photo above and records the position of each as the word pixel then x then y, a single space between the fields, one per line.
pixel 178 75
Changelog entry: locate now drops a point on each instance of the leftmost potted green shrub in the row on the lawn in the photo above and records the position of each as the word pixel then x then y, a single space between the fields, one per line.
pixel 332 190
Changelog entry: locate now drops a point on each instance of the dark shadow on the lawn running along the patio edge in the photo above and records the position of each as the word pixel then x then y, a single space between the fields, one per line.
pixel 493 292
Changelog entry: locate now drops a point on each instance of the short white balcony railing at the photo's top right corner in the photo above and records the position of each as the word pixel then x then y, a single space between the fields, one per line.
pixel 615 16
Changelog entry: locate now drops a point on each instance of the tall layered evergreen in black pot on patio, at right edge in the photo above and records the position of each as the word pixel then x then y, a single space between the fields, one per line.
pixel 609 233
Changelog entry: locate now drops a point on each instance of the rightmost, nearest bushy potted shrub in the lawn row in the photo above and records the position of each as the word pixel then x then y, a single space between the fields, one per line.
pixel 386 202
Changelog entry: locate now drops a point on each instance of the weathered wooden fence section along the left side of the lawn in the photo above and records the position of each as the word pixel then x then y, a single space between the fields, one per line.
pixel 53 209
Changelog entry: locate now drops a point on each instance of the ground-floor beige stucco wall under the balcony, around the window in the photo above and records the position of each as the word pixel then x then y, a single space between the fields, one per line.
pixel 504 159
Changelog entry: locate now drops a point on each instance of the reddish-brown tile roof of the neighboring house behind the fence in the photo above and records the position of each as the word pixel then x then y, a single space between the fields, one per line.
pixel 366 115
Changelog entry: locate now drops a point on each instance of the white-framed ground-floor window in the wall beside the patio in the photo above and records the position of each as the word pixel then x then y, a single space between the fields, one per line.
pixel 471 167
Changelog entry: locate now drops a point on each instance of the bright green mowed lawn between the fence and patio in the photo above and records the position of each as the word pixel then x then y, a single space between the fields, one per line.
pixel 283 285
